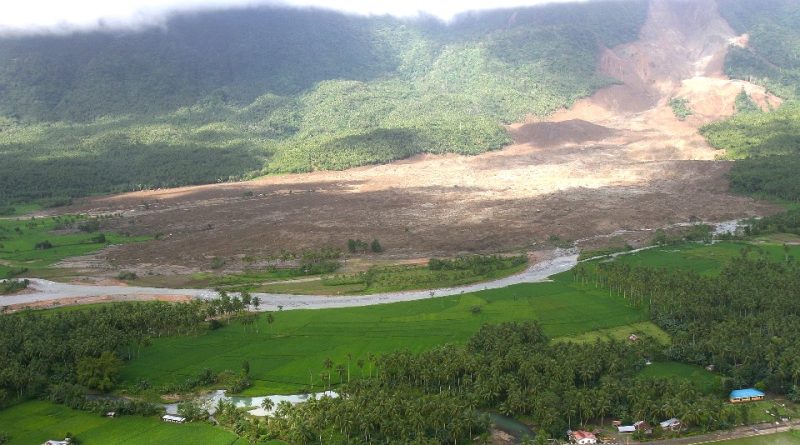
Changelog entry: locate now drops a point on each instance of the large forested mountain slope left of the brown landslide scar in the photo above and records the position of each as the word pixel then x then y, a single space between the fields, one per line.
pixel 228 95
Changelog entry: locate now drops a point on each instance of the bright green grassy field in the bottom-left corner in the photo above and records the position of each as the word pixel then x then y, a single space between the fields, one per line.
pixel 36 421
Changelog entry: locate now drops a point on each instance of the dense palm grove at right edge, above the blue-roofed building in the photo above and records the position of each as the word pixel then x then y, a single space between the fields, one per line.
pixel 745 321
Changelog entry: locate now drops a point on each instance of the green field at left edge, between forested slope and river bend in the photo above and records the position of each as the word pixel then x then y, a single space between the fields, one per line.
pixel 19 238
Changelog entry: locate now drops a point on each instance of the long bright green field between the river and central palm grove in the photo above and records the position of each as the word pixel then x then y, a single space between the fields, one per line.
pixel 284 356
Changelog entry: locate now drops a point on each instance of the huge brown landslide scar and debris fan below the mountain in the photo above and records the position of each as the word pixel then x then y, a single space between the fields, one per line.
pixel 618 160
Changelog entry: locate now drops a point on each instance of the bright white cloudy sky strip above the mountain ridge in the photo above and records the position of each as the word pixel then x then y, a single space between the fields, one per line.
pixel 45 16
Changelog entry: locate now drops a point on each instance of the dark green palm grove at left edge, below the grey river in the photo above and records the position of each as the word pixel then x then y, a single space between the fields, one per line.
pixel 41 353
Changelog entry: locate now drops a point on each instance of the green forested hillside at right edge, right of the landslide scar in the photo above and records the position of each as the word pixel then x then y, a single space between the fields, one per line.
pixel 766 143
